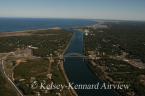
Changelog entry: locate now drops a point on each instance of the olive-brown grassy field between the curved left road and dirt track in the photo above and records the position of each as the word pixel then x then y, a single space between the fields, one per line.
pixel 31 68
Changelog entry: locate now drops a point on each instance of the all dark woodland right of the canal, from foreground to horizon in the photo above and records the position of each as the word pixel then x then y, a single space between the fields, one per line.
pixel 119 37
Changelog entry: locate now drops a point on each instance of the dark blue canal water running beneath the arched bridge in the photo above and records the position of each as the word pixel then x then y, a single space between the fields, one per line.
pixel 79 72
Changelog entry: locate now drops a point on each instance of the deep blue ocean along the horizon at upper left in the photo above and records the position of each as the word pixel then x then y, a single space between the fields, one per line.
pixel 21 24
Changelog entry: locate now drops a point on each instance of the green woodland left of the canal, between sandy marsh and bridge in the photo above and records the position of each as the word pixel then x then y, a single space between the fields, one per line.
pixel 47 41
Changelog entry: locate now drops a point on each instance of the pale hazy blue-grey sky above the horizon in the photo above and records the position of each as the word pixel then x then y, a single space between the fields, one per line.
pixel 85 9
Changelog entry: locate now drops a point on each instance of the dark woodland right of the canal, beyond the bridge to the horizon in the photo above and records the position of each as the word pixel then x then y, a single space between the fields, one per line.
pixel 122 36
